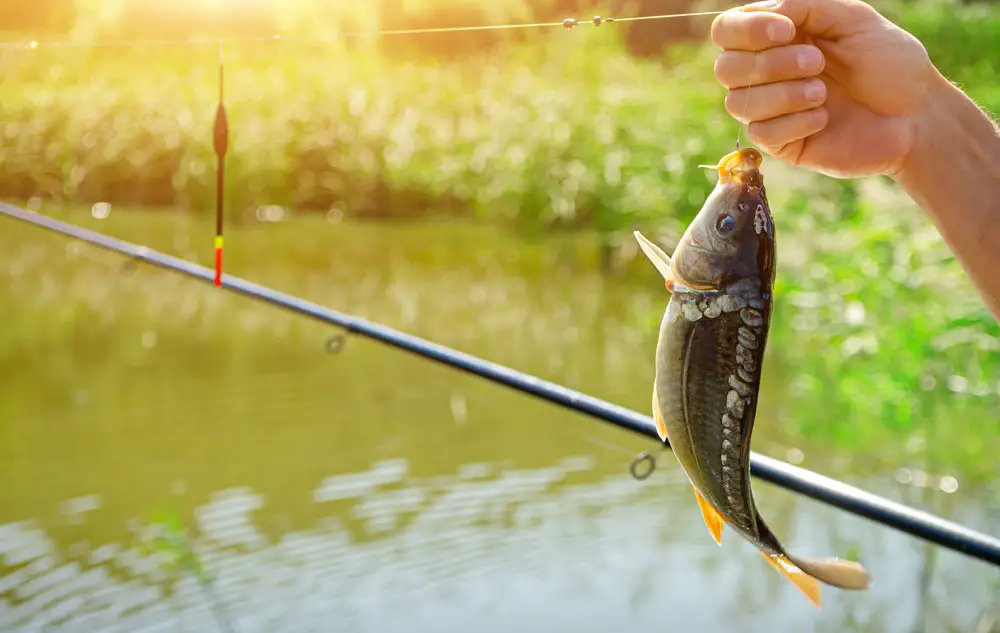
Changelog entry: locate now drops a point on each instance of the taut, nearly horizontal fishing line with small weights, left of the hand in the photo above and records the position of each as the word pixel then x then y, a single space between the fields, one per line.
pixel 568 23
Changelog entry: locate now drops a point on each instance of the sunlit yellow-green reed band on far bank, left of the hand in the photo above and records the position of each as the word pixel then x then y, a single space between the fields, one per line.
pixel 556 135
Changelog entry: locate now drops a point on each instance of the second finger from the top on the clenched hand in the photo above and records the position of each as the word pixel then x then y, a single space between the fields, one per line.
pixel 737 69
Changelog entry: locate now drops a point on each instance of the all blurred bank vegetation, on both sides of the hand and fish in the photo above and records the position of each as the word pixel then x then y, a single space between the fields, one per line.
pixel 566 131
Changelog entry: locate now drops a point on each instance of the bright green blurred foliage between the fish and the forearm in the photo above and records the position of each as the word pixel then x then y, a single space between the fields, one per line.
pixel 877 321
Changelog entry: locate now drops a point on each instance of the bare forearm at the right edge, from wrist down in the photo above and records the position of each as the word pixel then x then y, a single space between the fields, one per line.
pixel 953 173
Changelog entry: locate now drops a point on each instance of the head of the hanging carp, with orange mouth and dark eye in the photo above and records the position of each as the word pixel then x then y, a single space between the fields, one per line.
pixel 732 237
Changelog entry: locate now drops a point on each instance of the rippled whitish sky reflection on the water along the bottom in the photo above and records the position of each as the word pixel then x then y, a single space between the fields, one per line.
pixel 538 549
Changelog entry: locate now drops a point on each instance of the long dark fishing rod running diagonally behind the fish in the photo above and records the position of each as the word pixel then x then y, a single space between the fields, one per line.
pixel 918 523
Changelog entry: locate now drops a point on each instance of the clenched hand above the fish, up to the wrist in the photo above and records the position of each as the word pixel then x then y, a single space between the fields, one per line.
pixel 830 85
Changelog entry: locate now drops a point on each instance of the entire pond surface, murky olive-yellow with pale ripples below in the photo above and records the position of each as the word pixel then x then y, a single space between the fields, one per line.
pixel 371 490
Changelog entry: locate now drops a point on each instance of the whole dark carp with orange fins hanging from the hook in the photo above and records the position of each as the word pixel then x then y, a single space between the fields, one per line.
pixel 709 357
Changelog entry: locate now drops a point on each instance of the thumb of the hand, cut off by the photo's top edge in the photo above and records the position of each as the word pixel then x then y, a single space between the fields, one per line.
pixel 829 19
